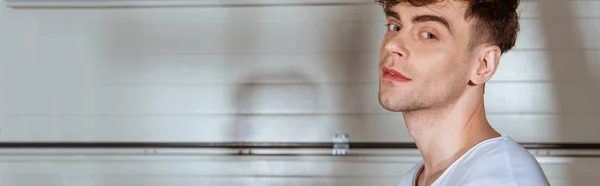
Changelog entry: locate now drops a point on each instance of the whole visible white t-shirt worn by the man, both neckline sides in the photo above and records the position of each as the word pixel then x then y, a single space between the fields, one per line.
pixel 493 162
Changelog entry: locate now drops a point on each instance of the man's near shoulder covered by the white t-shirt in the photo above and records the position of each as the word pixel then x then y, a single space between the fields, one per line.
pixel 501 162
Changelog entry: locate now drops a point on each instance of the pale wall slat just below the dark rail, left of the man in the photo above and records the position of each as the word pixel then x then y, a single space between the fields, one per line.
pixel 229 168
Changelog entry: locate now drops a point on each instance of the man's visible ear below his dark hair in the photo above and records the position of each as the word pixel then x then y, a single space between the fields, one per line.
pixel 487 60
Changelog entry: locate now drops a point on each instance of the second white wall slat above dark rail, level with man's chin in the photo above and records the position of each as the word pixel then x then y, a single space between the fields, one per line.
pixel 24 99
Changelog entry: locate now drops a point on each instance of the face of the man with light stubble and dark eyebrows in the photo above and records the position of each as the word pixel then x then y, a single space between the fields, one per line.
pixel 424 61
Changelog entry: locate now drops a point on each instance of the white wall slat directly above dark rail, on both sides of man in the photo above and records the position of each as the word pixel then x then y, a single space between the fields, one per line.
pixel 284 128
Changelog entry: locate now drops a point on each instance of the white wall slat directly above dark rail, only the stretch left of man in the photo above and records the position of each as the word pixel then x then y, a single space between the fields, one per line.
pixel 204 128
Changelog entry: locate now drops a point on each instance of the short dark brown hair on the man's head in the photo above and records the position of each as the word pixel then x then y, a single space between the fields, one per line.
pixel 496 21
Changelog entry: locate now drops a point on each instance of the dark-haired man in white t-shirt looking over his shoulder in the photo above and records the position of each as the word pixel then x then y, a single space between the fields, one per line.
pixel 435 58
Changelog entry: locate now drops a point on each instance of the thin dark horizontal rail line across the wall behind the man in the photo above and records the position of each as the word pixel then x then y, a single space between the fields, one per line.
pixel 263 145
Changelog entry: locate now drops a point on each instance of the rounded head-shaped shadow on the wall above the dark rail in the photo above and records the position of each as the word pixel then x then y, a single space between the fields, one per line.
pixel 278 106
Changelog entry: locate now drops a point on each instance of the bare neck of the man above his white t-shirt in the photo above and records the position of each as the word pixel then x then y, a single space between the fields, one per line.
pixel 443 135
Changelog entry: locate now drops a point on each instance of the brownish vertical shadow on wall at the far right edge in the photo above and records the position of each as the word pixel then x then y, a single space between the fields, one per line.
pixel 574 73
